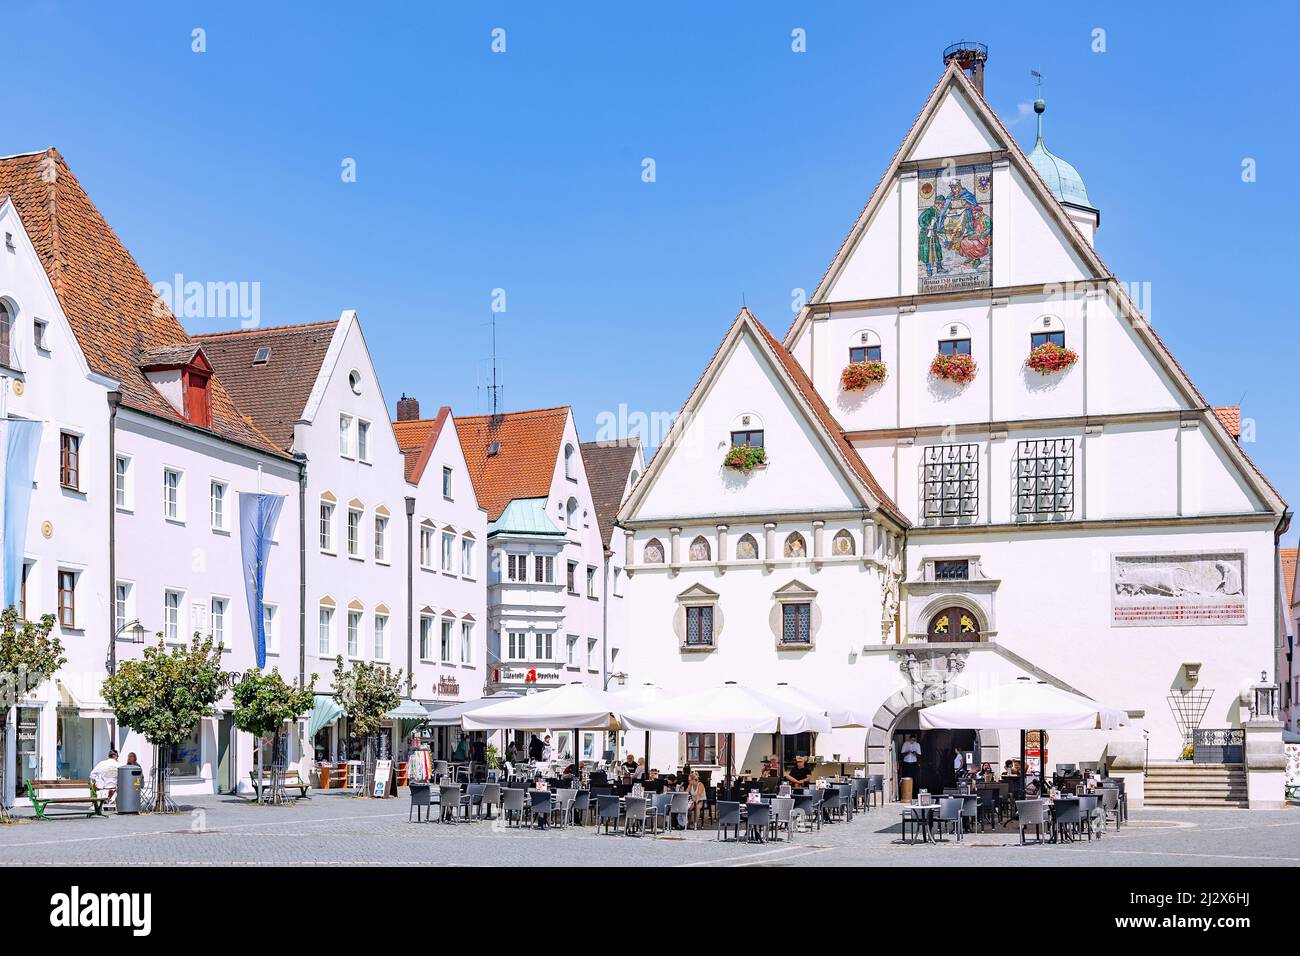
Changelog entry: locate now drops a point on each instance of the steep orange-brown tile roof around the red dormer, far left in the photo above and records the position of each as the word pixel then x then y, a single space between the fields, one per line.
pixel 103 292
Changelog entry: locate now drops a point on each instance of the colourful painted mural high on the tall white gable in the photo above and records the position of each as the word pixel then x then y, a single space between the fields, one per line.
pixel 955 228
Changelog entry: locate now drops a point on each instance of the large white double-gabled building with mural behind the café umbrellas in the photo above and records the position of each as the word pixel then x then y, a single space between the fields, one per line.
pixel 1097 527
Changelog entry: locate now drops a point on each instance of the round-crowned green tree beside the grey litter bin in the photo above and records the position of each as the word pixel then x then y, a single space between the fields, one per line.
pixel 164 695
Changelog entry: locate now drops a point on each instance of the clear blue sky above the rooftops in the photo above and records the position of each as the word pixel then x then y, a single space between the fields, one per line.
pixel 522 171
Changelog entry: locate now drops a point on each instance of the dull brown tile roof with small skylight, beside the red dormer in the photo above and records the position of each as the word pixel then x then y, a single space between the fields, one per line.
pixel 272 393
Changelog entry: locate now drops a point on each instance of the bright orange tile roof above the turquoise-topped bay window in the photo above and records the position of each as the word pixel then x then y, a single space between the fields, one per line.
pixel 523 468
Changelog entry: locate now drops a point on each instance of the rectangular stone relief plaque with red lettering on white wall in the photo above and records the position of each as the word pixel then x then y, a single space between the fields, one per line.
pixel 1178 590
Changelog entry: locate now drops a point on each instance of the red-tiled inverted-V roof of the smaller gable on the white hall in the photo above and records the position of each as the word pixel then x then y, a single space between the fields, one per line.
pixel 805 395
